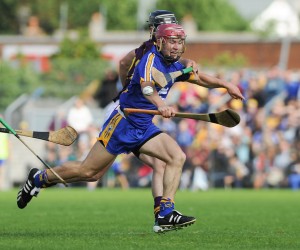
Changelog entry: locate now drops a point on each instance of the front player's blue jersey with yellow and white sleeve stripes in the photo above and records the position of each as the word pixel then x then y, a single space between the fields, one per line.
pixel 133 97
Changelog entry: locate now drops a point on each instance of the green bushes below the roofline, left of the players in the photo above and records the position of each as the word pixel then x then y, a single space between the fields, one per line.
pixel 71 70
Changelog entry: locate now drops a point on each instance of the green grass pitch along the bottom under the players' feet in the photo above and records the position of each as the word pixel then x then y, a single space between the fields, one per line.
pixel 73 218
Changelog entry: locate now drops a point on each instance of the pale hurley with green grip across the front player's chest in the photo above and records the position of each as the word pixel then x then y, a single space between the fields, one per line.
pixel 162 79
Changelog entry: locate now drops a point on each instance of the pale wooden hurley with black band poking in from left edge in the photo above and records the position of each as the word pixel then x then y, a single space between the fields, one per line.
pixel 64 136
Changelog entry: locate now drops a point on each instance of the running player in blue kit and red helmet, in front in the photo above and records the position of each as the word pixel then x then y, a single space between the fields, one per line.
pixel 136 132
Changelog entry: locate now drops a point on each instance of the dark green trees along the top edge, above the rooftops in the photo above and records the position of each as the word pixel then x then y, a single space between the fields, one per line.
pixel 212 15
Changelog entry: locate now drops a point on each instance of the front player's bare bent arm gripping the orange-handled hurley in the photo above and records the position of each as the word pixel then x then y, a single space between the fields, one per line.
pixel 155 99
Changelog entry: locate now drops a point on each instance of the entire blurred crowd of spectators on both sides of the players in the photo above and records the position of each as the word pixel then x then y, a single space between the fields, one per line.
pixel 262 151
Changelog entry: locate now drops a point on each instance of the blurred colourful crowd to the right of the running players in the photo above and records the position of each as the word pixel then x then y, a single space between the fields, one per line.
pixel 262 151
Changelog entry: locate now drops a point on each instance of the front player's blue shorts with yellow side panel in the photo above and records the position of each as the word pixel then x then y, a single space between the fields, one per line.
pixel 119 136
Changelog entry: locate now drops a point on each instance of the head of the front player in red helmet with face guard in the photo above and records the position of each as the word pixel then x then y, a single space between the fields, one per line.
pixel 166 35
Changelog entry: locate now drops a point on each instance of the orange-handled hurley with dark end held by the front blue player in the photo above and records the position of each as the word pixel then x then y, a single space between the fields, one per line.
pixel 227 118
